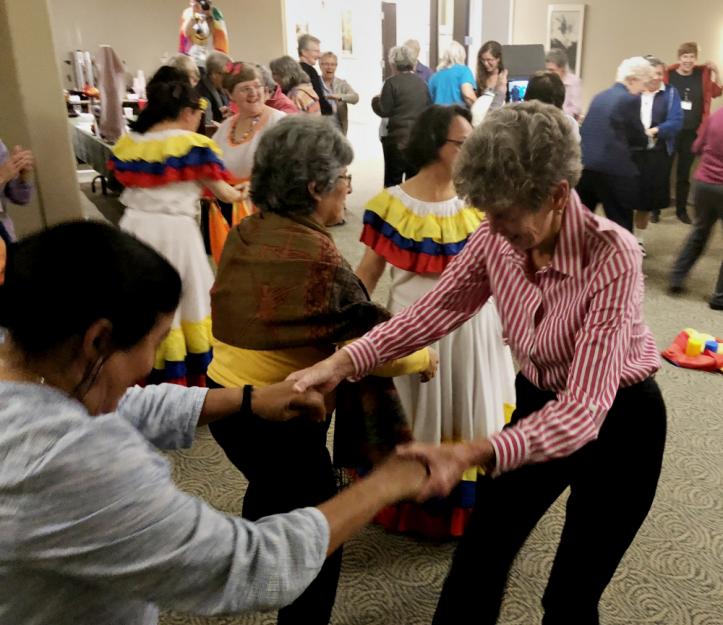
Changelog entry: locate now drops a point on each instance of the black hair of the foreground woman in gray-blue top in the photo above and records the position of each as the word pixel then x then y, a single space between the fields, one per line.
pixel 62 280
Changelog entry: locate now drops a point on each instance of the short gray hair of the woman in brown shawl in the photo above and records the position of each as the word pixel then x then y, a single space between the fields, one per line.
pixel 297 151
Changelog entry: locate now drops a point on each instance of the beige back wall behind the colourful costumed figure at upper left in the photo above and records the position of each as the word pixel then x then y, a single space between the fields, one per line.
pixel 141 31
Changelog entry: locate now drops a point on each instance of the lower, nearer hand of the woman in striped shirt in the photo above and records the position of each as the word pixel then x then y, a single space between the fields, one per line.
pixel 446 464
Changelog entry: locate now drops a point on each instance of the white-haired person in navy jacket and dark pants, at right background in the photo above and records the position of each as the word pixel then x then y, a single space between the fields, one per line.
pixel 612 128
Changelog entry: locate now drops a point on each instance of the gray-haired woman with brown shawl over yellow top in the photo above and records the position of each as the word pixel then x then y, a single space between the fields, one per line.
pixel 284 297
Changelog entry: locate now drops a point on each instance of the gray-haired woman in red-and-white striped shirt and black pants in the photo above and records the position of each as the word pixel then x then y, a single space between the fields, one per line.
pixel 569 289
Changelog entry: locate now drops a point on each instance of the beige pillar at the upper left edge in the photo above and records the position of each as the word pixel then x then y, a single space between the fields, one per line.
pixel 32 113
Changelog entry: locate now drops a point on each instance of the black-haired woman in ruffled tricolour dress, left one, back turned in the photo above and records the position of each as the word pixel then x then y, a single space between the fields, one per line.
pixel 164 166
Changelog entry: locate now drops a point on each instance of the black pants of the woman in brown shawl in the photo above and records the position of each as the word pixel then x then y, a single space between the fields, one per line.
pixel 287 466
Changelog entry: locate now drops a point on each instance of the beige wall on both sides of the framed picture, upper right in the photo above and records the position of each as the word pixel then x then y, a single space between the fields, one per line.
pixel 615 29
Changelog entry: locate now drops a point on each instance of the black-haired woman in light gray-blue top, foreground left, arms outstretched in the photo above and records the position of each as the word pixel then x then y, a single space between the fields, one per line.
pixel 92 527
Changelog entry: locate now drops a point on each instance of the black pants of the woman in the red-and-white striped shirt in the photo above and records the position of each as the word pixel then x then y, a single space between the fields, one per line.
pixel 612 480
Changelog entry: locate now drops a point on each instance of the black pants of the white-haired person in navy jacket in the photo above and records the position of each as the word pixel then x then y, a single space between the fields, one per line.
pixel 619 195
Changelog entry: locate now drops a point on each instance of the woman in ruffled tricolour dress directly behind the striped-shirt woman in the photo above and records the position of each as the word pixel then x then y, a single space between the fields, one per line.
pixel 418 228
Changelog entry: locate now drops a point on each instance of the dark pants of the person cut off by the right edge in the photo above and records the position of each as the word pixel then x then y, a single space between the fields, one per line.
pixel 708 211
